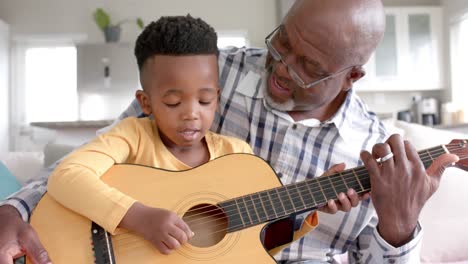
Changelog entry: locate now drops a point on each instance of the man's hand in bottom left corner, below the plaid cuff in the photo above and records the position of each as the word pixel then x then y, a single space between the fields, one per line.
pixel 18 238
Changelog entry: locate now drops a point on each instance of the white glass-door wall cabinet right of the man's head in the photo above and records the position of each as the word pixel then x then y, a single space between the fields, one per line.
pixel 410 56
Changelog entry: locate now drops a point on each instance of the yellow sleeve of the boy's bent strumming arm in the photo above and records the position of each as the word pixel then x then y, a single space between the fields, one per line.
pixel 76 183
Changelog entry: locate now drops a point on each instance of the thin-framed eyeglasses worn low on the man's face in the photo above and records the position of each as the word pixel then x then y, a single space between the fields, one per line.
pixel 277 57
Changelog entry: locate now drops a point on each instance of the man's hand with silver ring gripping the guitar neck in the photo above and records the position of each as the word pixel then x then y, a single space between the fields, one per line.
pixel 400 186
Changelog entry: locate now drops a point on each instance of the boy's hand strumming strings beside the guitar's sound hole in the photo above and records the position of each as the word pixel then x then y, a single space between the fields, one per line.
pixel 161 227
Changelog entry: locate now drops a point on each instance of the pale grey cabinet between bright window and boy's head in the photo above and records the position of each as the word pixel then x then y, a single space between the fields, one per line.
pixel 107 78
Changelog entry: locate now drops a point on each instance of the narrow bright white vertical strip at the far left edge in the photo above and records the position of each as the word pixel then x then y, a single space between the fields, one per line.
pixel 4 94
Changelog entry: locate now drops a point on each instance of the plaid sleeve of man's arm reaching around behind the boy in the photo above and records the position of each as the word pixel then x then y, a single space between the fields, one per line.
pixel 26 199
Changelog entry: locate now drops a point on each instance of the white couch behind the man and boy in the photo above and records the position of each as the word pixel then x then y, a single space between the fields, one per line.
pixel 444 217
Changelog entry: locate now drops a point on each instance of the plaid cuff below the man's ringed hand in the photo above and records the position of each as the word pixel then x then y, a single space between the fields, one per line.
pixel 370 247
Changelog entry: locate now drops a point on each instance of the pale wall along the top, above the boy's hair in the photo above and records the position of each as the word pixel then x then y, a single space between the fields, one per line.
pixel 75 17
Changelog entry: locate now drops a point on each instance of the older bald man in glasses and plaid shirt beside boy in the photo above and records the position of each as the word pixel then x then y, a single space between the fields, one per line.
pixel 295 105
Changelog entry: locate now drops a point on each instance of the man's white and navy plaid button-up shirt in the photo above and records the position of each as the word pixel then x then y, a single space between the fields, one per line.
pixel 297 151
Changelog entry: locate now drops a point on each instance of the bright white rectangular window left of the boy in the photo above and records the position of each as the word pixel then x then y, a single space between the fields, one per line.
pixel 50 84
